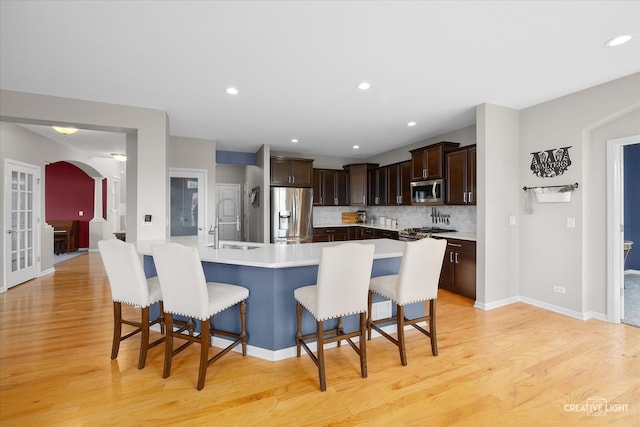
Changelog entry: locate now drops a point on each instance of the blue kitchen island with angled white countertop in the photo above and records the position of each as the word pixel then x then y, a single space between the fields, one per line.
pixel 272 272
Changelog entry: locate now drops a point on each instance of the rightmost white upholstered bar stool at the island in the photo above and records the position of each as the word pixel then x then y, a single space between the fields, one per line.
pixel 416 281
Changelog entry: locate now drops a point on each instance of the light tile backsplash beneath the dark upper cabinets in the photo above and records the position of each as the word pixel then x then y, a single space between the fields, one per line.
pixel 461 218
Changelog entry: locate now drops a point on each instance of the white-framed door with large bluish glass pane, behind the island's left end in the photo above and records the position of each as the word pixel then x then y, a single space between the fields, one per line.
pixel 188 201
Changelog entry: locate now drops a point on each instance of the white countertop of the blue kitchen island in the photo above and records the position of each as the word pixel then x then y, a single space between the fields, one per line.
pixel 269 255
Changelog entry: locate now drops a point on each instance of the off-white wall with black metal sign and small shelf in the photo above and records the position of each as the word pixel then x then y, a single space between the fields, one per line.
pixel 550 253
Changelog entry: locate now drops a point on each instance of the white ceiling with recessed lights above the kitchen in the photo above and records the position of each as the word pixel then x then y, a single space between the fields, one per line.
pixel 297 64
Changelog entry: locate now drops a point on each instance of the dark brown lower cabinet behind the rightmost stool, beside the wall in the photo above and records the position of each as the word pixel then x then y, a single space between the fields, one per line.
pixel 459 268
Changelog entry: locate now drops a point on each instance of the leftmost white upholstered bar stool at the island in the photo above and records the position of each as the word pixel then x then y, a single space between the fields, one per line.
pixel 130 286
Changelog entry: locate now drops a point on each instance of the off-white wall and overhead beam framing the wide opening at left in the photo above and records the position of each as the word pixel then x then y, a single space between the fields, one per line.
pixel 147 136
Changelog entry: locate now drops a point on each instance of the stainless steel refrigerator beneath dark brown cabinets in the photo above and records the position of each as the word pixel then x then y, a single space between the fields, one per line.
pixel 291 215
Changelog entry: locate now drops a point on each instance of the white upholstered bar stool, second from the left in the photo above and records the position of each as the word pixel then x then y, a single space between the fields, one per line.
pixel 186 292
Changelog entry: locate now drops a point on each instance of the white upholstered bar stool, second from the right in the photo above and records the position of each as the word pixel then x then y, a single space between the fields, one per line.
pixel 341 289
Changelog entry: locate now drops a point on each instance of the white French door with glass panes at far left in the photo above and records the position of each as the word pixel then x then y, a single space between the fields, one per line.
pixel 21 222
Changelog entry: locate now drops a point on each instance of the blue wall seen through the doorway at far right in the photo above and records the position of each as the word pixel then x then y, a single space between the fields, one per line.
pixel 632 204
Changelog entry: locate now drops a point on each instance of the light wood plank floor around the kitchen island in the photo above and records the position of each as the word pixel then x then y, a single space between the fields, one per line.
pixel 513 366
